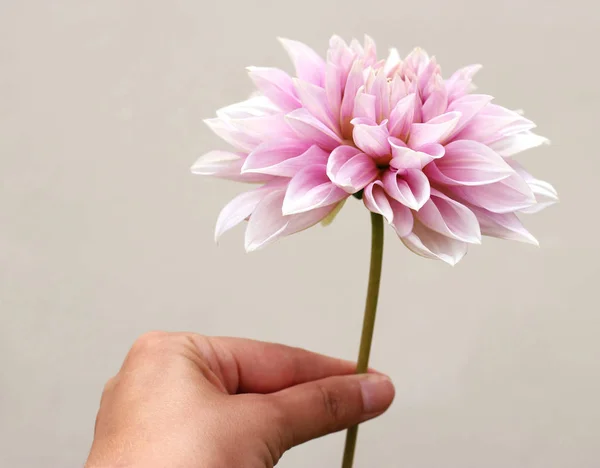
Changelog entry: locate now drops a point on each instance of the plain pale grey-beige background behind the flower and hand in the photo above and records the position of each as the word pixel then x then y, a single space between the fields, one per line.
pixel 104 233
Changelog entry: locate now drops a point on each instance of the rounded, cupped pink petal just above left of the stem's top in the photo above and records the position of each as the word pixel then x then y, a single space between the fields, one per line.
pixel 350 169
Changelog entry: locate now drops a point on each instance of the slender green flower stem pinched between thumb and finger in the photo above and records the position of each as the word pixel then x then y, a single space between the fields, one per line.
pixel 368 321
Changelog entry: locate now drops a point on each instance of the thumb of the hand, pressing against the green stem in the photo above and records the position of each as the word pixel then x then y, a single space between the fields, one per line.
pixel 313 409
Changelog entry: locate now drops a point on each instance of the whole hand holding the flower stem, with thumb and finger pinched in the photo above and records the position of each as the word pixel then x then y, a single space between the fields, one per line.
pixel 183 400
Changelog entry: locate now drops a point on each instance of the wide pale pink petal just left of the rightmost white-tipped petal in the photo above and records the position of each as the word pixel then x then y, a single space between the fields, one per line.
pixel 506 196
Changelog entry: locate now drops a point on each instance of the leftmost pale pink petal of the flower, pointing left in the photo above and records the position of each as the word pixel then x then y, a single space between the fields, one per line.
pixel 225 165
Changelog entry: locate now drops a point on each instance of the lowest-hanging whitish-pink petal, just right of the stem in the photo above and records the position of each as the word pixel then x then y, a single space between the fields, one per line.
pixel 430 244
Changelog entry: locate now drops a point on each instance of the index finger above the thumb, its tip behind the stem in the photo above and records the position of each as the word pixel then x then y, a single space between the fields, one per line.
pixel 267 367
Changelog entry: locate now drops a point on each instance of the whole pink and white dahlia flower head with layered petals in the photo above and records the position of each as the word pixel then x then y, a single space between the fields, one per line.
pixel 433 159
